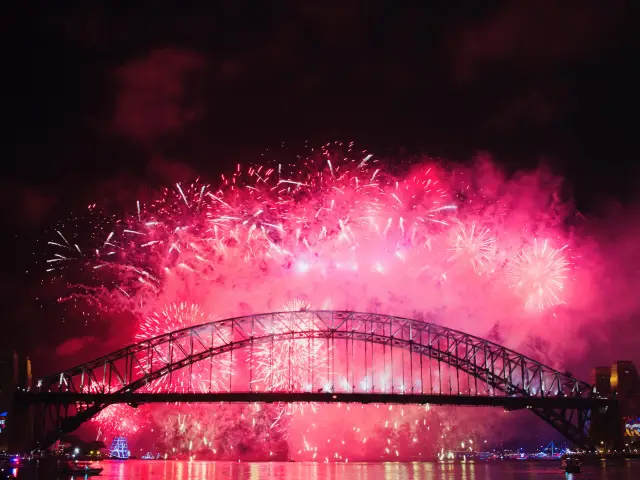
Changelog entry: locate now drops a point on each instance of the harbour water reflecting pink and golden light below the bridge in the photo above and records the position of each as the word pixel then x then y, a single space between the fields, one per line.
pixel 183 470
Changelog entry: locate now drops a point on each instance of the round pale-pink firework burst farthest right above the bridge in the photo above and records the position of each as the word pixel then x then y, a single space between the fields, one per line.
pixel 538 275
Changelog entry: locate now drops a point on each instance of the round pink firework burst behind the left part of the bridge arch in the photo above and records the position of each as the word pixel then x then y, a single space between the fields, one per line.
pixel 206 376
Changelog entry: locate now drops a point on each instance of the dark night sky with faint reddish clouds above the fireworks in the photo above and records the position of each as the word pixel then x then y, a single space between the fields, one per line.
pixel 97 98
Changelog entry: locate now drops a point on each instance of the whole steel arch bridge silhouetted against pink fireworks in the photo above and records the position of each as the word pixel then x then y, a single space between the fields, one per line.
pixel 338 356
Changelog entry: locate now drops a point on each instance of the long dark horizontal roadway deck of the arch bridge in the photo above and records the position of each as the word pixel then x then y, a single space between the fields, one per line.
pixel 510 403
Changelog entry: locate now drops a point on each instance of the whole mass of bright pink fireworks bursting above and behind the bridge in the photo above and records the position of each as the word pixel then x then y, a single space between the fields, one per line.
pixel 337 229
